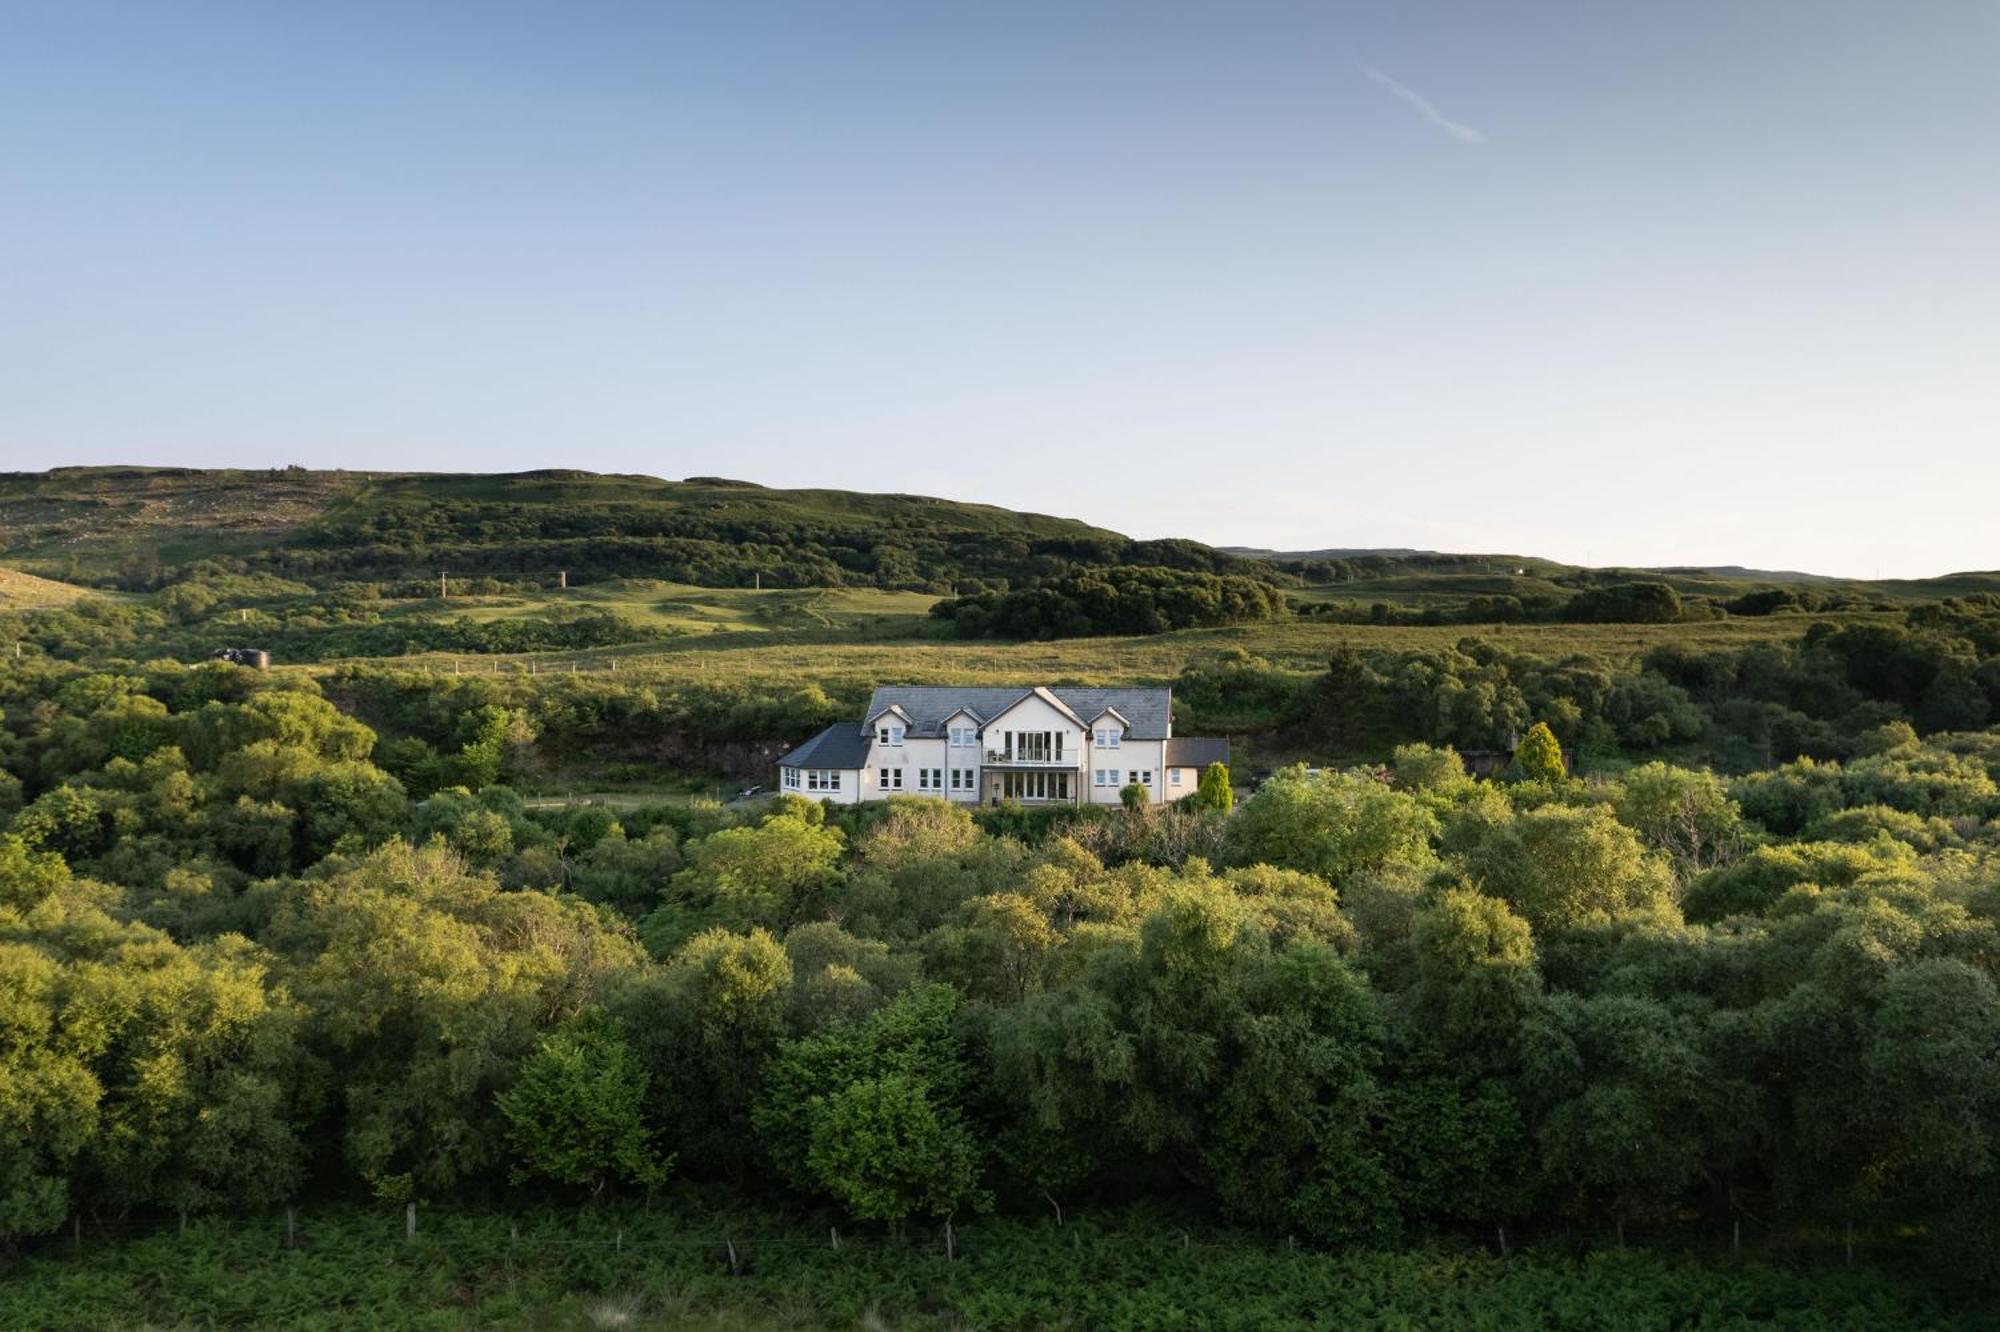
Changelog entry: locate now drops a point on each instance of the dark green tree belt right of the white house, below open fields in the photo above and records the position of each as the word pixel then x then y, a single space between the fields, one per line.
pixel 1823 695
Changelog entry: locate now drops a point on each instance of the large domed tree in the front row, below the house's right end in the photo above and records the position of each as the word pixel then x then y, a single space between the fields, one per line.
pixel 1201 1047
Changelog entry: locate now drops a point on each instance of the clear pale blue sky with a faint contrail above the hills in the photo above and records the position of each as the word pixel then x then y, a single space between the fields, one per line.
pixel 1613 283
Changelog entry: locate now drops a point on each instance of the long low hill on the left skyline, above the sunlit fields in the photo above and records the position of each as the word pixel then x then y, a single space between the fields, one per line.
pixel 139 527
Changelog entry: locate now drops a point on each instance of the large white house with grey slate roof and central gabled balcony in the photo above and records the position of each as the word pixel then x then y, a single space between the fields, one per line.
pixel 991 745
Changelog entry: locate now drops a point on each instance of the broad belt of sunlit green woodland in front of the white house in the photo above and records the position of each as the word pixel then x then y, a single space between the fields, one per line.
pixel 243 963
